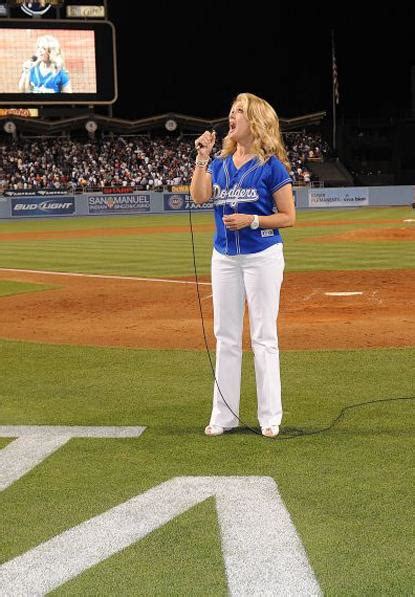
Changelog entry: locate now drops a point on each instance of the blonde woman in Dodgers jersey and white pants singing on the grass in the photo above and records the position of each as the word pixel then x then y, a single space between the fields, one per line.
pixel 252 194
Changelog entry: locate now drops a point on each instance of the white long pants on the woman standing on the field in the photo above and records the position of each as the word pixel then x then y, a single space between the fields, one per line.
pixel 256 277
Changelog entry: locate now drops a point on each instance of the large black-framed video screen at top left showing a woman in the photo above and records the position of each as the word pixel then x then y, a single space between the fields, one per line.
pixel 49 62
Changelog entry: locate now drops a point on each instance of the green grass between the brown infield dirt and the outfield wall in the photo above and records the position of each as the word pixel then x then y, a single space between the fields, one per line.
pixel 170 254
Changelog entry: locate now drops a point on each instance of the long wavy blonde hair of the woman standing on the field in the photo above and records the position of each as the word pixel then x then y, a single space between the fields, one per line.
pixel 265 128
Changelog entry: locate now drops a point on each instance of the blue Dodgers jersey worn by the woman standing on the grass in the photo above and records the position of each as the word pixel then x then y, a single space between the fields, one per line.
pixel 246 190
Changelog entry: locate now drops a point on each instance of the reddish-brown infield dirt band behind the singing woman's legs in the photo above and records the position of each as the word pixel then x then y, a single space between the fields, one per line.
pixel 98 311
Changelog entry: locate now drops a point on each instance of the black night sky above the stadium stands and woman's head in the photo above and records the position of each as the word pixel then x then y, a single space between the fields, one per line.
pixel 215 49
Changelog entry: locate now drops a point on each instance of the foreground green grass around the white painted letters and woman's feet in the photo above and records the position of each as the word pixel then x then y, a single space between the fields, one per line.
pixel 348 490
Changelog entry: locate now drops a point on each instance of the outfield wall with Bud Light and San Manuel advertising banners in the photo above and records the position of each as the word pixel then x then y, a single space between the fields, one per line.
pixel 27 204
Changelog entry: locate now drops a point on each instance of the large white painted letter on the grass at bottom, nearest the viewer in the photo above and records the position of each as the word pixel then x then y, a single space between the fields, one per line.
pixel 262 551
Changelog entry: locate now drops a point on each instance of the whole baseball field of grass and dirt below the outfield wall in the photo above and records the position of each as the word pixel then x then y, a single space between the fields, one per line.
pixel 108 485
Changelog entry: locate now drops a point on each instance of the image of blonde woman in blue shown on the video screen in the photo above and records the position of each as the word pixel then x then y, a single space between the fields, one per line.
pixel 45 71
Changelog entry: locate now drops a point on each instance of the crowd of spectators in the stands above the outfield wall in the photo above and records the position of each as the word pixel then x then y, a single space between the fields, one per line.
pixel 141 162
